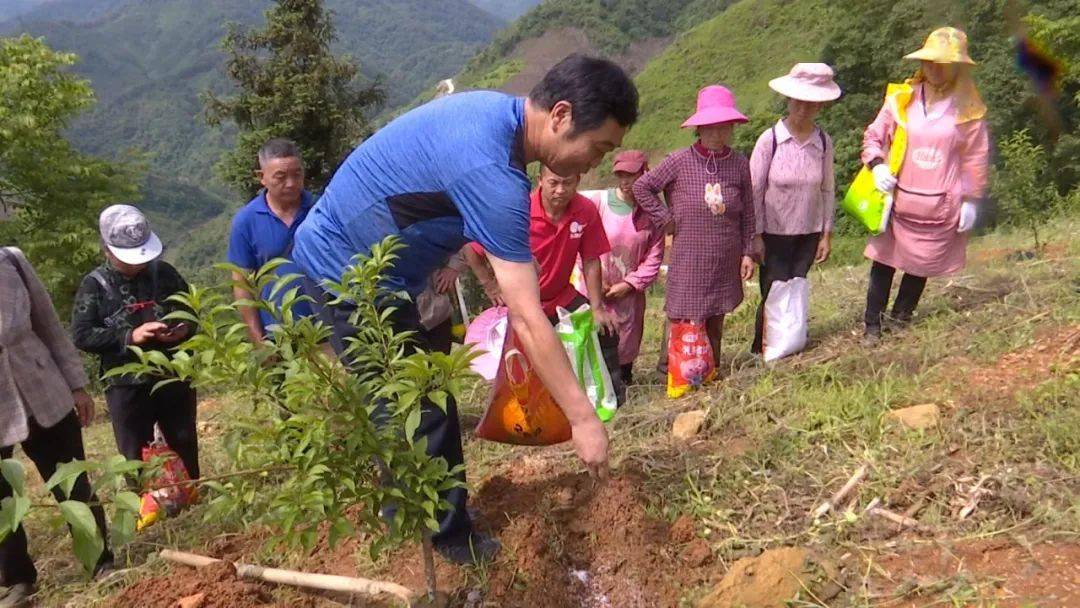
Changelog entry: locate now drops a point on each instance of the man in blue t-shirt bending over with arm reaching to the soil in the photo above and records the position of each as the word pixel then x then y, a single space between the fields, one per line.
pixel 451 172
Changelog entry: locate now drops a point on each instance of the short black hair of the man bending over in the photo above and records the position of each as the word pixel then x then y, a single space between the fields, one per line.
pixel 598 89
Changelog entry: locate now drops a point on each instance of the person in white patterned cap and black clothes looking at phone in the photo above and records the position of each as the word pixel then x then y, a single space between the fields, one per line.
pixel 123 304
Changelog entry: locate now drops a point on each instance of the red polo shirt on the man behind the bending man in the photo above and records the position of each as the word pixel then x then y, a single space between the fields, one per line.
pixel 557 247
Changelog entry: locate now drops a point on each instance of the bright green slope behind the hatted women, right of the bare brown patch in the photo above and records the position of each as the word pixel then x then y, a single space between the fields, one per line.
pixel 757 40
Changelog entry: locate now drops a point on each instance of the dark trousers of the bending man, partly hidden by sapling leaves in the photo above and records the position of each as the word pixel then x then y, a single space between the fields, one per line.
pixel 442 430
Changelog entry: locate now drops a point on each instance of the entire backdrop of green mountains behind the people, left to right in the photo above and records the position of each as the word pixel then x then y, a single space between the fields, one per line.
pixel 150 59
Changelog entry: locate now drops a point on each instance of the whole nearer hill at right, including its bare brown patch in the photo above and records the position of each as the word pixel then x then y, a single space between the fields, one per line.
pixel 677 47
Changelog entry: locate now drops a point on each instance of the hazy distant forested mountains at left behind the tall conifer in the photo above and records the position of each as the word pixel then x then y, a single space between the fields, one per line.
pixel 150 60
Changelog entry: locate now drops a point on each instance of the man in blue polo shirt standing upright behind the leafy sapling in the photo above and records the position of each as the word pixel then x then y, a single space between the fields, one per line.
pixel 264 228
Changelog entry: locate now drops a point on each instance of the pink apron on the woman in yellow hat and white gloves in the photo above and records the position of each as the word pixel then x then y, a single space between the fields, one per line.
pixel 922 238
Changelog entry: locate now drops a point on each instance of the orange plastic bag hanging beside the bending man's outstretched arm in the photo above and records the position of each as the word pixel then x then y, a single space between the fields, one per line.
pixel 522 412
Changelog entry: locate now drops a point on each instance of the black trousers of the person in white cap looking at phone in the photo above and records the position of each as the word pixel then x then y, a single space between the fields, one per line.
pixel 134 411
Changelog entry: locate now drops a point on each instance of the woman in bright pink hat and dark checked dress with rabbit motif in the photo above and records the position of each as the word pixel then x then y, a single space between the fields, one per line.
pixel 711 213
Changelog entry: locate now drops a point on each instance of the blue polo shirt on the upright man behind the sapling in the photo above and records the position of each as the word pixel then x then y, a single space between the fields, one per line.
pixel 259 237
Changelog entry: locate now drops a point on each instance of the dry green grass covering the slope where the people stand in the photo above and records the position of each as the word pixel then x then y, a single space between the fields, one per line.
pixel 780 439
